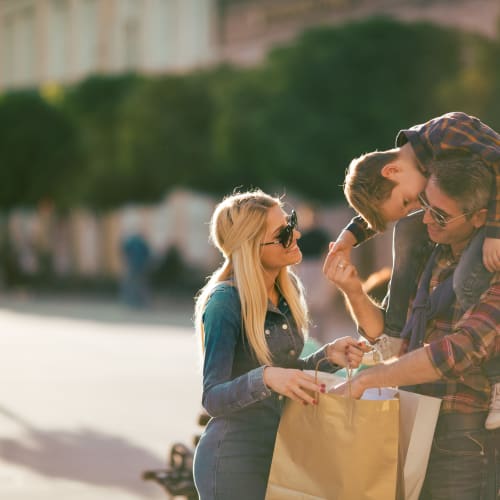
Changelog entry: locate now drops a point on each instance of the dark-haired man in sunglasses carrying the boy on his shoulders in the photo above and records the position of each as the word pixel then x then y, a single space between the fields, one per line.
pixel 447 345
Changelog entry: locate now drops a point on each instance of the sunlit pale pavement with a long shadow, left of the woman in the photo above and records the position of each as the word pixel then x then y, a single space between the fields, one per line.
pixel 91 395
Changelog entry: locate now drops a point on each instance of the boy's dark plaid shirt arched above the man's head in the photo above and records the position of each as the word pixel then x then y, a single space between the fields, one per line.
pixel 459 132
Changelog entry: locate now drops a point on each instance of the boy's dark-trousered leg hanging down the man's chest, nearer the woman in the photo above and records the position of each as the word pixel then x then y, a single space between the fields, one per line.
pixel 410 239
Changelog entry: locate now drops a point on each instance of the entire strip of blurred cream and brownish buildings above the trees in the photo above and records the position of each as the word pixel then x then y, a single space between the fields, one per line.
pixel 44 42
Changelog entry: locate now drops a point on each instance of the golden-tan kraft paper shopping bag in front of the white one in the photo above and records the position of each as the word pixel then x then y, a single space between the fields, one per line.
pixel 341 449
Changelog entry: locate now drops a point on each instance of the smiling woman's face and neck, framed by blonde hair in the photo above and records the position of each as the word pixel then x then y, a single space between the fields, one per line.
pixel 274 257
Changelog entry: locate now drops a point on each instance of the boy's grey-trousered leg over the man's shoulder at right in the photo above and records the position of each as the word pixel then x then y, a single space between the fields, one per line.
pixel 471 278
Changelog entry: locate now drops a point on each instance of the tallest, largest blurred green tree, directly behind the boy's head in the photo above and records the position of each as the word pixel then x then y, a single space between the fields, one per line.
pixel 332 95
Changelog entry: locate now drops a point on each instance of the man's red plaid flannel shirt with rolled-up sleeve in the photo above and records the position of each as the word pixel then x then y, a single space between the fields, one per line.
pixel 457 344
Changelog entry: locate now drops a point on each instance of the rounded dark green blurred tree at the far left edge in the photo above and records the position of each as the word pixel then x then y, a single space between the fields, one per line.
pixel 38 151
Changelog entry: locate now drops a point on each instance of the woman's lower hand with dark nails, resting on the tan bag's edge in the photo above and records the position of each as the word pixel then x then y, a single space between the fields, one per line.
pixel 292 383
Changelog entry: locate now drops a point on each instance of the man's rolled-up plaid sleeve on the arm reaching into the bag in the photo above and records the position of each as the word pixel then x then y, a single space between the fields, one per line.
pixel 474 338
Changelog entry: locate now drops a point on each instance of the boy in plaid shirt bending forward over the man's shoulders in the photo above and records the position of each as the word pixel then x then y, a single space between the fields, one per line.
pixel 384 187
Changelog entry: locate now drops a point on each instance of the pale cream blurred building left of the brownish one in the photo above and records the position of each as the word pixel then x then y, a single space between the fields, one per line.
pixel 63 41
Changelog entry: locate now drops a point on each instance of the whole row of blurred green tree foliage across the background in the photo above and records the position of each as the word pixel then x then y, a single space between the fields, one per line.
pixel 292 123
